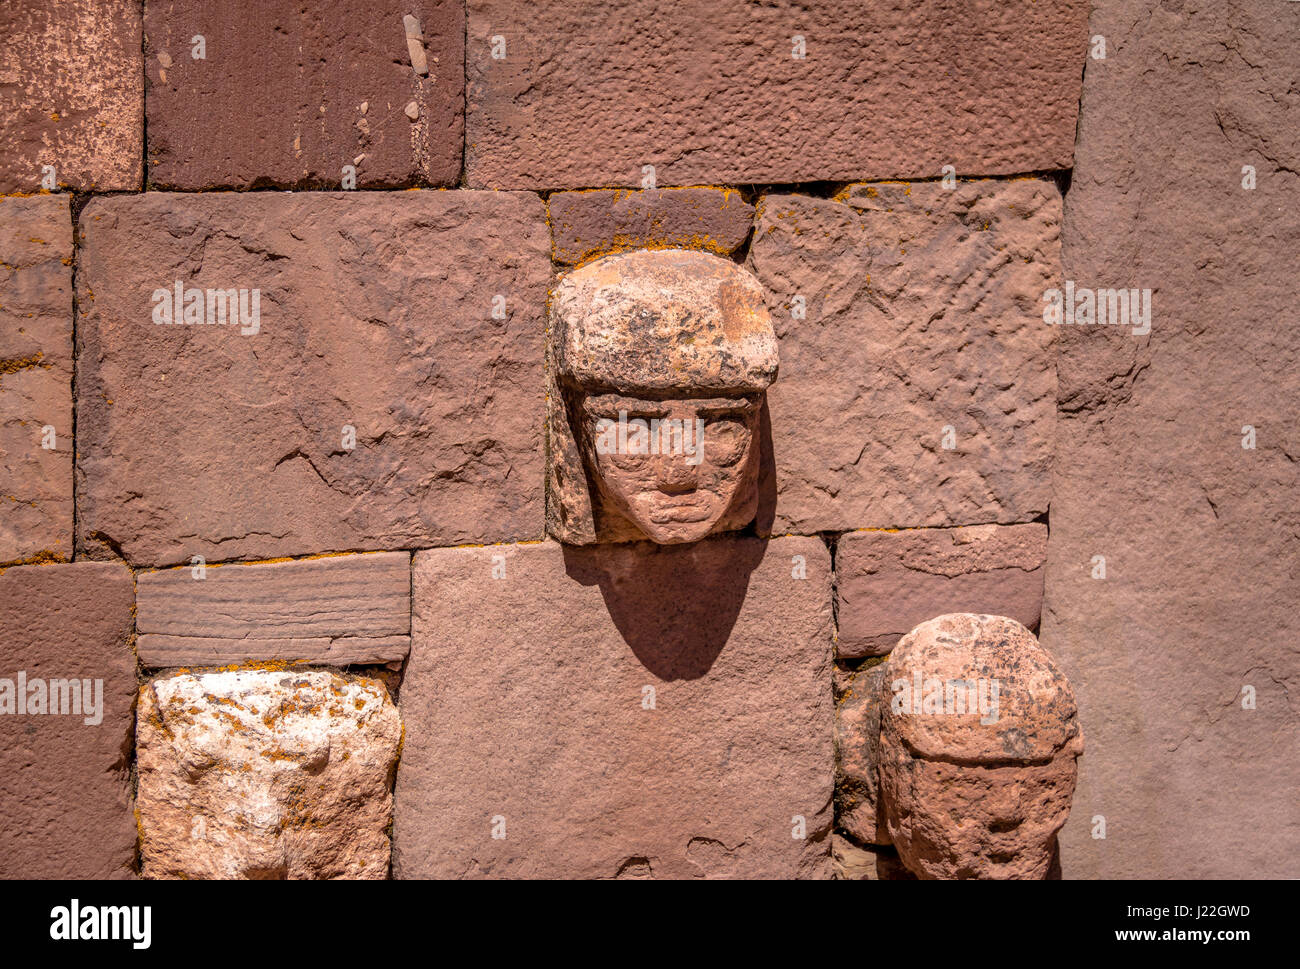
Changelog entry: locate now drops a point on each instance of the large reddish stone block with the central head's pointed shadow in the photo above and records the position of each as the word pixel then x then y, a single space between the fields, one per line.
pixel 525 700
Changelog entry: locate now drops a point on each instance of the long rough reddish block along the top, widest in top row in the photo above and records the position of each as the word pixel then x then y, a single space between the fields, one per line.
pixel 590 93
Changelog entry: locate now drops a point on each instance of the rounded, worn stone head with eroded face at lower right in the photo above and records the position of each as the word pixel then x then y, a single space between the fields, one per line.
pixel 980 738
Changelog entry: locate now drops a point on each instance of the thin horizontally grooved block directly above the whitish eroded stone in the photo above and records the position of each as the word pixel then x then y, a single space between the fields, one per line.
pixel 339 612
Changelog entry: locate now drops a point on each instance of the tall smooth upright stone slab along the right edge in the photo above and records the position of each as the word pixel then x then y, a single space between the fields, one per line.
pixel 1201 537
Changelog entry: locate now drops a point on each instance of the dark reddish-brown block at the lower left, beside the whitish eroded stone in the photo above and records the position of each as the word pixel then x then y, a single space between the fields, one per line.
pixel 66 788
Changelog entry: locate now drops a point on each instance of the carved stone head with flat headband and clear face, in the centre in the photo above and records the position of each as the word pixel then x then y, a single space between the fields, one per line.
pixel 660 365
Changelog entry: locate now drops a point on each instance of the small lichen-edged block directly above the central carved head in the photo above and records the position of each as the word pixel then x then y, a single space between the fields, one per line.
pixel 587 224
